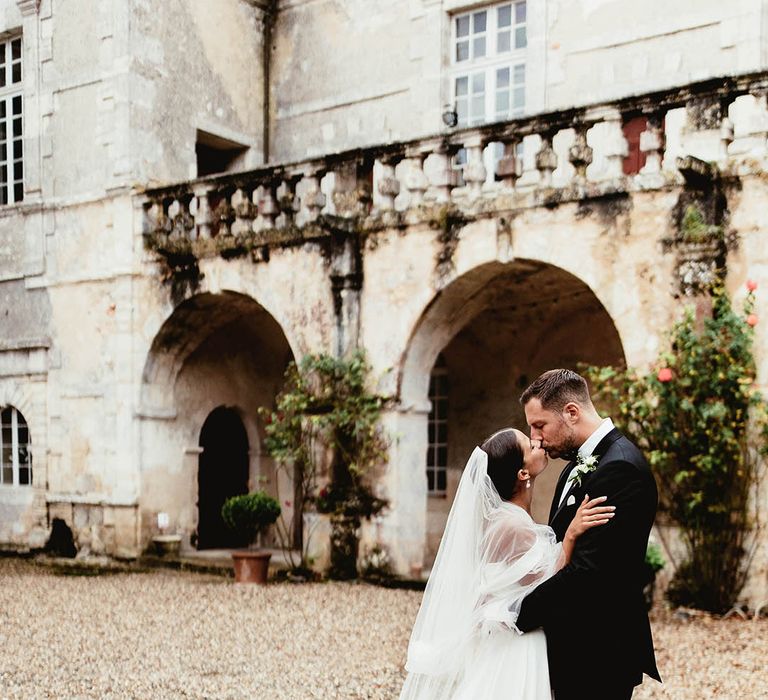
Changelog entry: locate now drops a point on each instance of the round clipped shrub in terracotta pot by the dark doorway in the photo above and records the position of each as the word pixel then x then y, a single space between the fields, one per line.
pixel 249 515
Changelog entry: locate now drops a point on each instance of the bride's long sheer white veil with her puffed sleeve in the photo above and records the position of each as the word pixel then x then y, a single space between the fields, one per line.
pixel 491 556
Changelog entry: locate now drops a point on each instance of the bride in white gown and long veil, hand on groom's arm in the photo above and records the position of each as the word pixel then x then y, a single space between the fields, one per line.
pixel 464 644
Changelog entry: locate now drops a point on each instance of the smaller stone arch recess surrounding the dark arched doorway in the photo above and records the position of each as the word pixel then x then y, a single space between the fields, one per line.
pixel 214 350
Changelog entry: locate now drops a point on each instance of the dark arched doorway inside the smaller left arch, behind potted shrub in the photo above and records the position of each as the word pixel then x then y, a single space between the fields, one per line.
pixel 222 472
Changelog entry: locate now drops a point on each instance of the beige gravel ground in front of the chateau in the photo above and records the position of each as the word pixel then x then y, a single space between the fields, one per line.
pixel 181 635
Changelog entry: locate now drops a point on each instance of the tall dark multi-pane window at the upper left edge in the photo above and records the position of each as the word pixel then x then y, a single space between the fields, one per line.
pixel 11 122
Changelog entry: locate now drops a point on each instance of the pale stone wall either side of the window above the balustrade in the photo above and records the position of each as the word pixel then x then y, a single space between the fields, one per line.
pixel 346 74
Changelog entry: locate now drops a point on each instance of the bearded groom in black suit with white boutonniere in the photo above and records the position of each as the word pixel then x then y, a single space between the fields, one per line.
pixel 598 635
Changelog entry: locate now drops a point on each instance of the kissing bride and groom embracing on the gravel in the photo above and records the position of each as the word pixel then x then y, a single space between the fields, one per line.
pixel 516 610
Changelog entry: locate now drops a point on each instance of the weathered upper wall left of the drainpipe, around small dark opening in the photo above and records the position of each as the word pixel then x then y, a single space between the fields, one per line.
pixel 195 65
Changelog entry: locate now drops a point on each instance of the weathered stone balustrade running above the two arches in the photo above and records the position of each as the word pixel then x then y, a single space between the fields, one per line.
pixel 543 158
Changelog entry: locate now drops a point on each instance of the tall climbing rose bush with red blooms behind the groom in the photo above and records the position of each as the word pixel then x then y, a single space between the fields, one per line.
pixel 702 423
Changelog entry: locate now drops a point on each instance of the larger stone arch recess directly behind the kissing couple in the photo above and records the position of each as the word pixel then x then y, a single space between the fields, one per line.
pixel 498 326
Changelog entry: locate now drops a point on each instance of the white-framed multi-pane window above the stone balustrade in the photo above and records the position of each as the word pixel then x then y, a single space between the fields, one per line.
pixel 488 63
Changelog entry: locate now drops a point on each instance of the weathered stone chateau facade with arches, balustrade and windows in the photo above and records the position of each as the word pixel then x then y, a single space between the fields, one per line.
pixel 193 193
